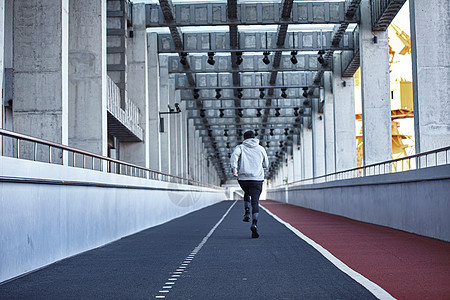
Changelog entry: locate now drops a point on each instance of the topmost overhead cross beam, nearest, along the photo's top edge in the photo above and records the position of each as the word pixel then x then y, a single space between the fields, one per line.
pixel 250 14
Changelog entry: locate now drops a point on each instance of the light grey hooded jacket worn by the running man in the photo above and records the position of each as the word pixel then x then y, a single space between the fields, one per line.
pixel 252 158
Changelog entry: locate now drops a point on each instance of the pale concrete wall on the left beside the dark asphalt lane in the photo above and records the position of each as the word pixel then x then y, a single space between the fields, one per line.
pixel 41 223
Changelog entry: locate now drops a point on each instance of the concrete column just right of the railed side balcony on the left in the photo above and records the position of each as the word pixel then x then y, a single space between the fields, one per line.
pixel 137 91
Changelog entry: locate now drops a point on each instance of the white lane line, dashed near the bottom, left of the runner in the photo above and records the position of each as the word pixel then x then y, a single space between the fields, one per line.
pixel 182 268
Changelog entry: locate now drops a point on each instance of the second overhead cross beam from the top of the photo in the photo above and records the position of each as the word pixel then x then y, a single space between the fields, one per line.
pixel 255 42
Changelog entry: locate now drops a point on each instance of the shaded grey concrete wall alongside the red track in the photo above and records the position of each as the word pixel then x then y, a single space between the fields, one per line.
pixel 415 201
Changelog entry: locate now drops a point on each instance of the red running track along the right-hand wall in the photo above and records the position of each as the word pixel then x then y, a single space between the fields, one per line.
pixel 406 265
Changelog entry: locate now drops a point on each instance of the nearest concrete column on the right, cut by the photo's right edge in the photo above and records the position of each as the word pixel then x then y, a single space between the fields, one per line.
pixel 430 49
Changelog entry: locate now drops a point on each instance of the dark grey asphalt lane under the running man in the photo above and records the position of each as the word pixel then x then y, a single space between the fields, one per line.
pixel 208 254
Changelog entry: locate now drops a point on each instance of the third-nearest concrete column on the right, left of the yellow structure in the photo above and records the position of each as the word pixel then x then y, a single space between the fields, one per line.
pixel 344 118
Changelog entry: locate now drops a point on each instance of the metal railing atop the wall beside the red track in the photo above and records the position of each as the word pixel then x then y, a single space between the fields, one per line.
pixel 423 160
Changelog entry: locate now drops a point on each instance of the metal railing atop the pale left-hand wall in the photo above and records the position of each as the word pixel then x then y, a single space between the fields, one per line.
pixel 35 149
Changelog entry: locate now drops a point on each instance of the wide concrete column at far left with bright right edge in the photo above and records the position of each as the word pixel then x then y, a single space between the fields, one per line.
pixel 41 69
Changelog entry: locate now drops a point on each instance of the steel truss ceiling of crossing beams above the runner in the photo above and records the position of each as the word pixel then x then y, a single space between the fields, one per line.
pixel 240 91
